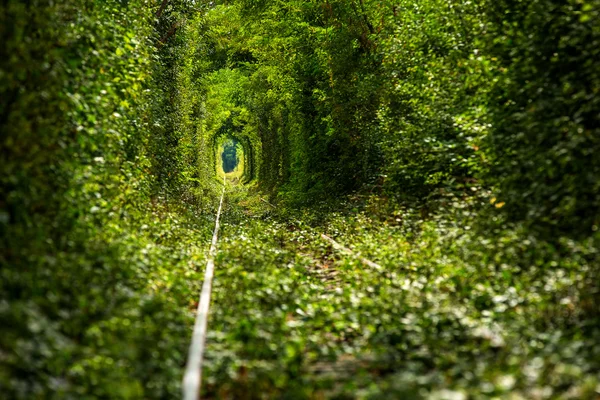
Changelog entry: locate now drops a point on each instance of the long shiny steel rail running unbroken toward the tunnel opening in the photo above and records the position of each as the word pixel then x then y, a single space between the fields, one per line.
pixel 192 380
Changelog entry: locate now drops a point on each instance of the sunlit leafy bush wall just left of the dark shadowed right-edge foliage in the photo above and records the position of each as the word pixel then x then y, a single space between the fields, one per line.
pixel 432 115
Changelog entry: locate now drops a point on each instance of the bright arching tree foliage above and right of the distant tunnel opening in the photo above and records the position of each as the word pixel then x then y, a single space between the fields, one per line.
pixel 297 94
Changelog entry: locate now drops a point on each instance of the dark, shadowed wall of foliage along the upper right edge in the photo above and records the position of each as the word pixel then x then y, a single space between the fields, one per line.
pixel 544 112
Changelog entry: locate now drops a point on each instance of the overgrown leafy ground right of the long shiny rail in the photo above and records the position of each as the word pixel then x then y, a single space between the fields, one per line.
pixel 294 317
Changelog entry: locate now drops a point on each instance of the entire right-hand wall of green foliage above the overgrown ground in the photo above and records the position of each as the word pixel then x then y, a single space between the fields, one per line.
pixel 420 98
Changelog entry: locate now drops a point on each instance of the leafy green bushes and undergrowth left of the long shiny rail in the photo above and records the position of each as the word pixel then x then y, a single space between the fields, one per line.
pixel 93 288
